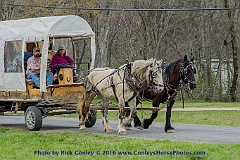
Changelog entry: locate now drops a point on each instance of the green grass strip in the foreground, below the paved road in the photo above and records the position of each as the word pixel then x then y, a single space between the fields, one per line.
pixel 22 144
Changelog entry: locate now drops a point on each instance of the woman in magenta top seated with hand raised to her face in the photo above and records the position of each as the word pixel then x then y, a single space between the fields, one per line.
pixel 61 60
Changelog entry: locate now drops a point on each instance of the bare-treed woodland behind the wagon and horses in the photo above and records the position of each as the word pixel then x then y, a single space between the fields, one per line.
pixel 211 36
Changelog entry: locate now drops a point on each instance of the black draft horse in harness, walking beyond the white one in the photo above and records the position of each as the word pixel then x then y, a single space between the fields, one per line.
pixel 178 73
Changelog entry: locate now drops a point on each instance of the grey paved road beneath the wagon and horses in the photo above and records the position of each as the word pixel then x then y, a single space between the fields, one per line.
pixel 184 132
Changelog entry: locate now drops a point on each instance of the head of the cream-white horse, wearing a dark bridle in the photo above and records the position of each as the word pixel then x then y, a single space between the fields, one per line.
pixel 155 75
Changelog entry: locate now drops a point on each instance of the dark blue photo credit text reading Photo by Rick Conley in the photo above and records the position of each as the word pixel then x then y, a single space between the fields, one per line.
pixel 112 152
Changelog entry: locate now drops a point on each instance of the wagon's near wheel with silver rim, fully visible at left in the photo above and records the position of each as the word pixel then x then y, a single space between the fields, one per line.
pixel 33 118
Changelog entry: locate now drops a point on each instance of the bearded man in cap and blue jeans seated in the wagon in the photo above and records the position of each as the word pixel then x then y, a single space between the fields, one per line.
pixel 33 68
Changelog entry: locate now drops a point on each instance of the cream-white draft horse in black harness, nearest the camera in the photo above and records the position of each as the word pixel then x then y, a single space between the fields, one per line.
pixel 123 83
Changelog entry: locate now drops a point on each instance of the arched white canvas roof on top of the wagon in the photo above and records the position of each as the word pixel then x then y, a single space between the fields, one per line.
pixel 44 26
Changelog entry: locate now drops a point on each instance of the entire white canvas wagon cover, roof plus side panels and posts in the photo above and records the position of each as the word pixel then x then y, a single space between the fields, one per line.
pixel 39 29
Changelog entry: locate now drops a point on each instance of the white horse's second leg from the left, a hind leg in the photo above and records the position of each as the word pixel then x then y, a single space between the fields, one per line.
pixel 105 121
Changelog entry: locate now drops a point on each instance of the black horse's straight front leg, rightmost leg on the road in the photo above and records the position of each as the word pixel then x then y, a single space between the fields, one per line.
pixel 168 126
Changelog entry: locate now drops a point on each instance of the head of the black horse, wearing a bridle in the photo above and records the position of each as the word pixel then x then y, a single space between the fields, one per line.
pixel 187 72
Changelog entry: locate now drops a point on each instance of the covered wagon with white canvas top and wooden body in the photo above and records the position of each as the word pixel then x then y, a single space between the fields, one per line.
pixel 17 40
